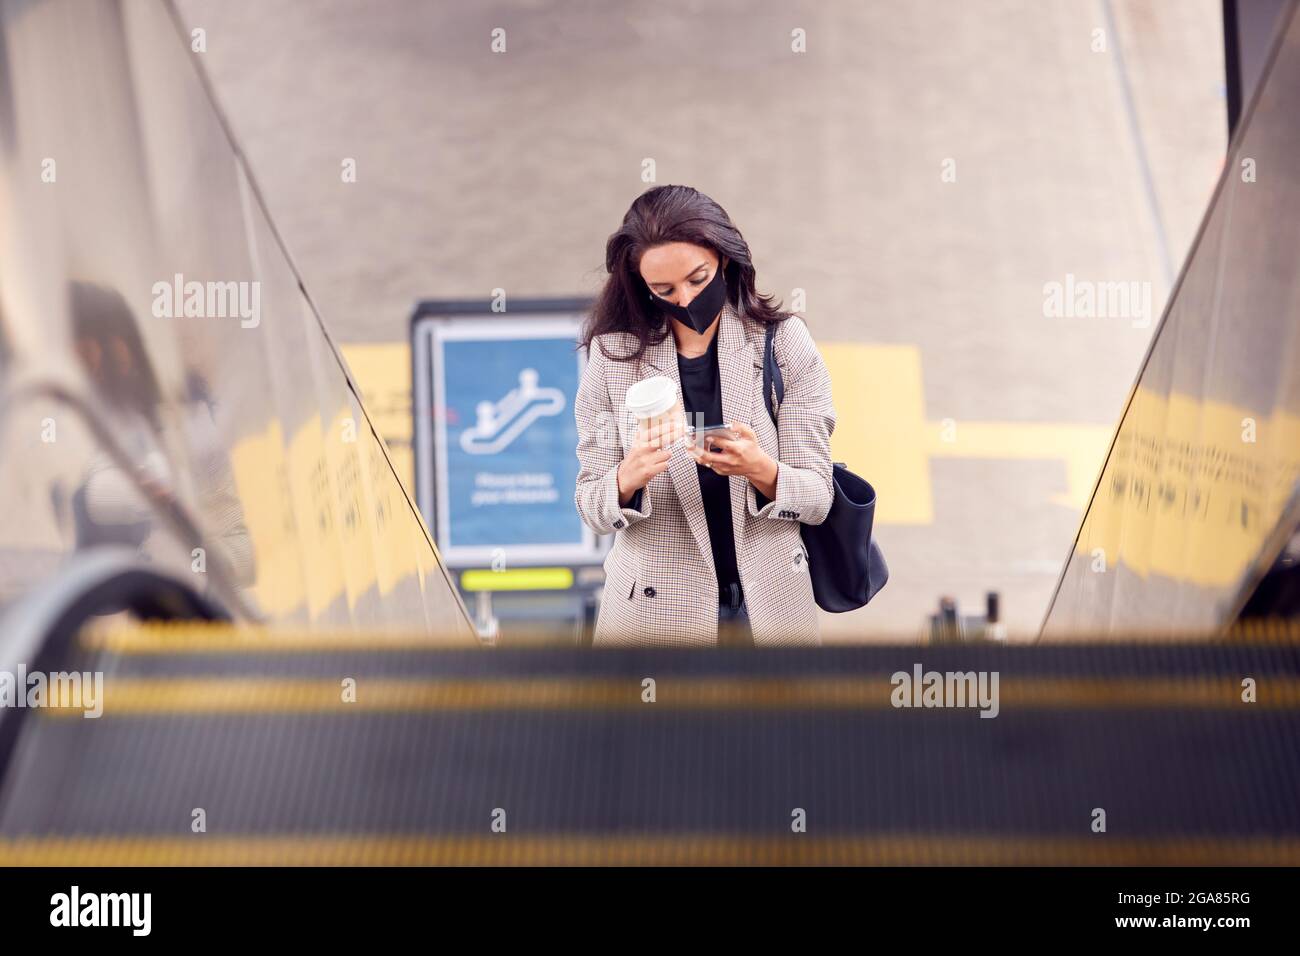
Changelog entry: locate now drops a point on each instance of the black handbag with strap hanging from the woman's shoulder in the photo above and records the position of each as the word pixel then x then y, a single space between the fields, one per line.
pixel 846 564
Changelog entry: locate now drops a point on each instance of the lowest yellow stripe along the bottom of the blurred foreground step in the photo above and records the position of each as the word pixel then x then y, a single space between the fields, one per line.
pixel 668 850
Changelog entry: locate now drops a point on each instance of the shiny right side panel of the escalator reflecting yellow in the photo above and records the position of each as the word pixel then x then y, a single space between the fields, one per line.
pixel 1208 452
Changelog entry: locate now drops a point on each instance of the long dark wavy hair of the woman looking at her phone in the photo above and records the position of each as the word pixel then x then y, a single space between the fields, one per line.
pixel 658 217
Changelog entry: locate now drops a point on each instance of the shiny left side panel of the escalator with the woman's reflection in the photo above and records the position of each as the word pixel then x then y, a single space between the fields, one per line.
pixel 166 386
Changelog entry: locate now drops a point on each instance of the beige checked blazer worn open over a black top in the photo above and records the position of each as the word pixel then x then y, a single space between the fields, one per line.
pixel 661 587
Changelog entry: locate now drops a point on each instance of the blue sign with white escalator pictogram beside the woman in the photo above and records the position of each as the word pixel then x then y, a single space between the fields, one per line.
pixel 502 440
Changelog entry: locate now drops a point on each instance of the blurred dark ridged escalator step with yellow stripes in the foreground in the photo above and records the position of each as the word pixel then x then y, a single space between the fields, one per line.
pixel 372 750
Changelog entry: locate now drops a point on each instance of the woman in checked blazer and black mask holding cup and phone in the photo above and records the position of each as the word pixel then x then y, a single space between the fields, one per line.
pixel 708 546
